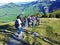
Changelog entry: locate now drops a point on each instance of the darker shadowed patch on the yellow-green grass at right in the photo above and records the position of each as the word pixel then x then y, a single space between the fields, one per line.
pixel 51 35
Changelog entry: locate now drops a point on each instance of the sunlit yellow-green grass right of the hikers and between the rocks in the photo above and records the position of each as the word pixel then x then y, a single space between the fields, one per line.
pixel 49 27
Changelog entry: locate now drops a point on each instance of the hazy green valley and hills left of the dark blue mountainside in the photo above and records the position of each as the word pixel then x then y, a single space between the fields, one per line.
pixel 8 12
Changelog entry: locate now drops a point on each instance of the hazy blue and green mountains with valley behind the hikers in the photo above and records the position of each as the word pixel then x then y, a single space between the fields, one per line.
pixel 26 8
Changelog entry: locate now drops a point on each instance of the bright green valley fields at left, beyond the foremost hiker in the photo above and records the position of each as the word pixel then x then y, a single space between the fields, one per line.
pixel 9 14
